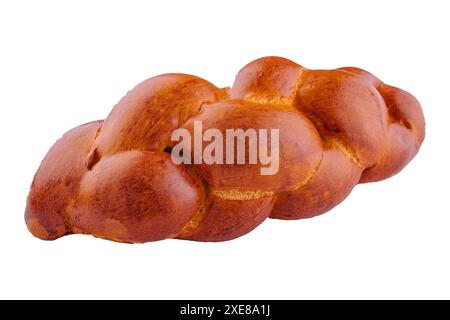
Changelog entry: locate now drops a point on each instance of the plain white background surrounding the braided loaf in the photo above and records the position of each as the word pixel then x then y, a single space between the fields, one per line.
pixel 63 63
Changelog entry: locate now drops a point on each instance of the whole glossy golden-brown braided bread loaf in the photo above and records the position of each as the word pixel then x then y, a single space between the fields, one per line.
pixel 115 178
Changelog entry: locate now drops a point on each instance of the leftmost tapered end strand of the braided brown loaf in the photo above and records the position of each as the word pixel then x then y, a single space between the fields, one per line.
pixel 55 185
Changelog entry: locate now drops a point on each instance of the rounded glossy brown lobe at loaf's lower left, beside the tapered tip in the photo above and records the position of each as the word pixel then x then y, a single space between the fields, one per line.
pixel 137 196
